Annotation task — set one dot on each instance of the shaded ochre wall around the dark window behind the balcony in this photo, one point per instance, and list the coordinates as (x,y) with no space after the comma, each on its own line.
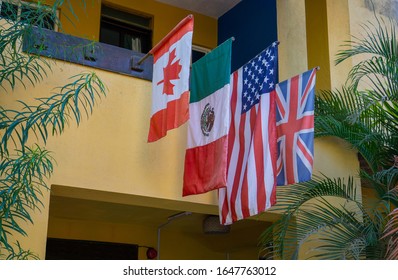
(165,17)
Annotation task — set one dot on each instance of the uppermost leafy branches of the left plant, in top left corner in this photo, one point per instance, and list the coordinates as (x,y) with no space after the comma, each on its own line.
(17,67)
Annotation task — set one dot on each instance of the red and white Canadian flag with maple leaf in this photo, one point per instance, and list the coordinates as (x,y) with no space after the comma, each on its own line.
(170,81)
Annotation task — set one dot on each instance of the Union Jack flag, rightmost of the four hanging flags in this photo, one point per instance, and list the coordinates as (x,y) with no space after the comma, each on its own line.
(295,128)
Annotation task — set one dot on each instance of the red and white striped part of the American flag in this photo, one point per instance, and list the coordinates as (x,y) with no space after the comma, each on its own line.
(252,155)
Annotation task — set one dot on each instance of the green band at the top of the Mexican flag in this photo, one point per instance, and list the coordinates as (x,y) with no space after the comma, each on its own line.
(211,72)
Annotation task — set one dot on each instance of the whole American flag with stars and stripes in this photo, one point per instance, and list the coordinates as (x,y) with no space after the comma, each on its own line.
(252,140)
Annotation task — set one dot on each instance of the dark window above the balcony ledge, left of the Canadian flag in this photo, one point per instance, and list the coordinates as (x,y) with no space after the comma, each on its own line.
(125,30)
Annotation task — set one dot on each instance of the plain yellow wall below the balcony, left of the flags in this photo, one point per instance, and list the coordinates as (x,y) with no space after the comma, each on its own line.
(110,151)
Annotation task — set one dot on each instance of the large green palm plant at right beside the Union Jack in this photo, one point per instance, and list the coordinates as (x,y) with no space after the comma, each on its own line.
(325,214)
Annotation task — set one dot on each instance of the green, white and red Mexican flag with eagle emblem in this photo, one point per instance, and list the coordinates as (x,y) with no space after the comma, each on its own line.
(206,154)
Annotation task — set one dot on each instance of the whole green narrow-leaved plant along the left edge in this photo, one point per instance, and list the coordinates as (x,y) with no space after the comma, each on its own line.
(25,166)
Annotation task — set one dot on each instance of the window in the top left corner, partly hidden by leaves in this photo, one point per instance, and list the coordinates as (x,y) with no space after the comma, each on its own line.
(28,12)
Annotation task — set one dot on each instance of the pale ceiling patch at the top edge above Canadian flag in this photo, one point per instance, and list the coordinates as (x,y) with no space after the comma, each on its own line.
(211,8)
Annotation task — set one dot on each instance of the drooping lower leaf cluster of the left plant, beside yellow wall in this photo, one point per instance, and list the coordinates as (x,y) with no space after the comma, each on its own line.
(22,180)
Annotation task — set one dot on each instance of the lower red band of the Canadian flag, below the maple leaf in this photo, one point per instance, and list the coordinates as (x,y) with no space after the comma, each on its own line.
(175,114)
